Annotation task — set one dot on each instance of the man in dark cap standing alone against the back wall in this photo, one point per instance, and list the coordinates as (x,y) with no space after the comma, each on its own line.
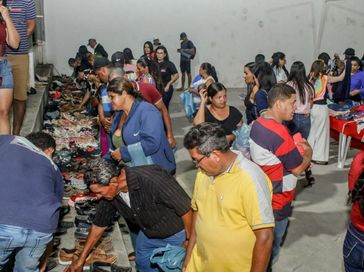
(188,52)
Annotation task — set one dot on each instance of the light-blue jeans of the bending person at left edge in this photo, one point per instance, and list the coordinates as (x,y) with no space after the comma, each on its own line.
(28,244)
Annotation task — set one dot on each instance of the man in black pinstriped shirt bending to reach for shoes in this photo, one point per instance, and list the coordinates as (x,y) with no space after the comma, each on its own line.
(148,197)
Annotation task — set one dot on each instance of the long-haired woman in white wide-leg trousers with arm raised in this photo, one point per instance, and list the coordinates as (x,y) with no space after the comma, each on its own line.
(319,137)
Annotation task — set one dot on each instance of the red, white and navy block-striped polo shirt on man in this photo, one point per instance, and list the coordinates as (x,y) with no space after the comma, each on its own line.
(274,150)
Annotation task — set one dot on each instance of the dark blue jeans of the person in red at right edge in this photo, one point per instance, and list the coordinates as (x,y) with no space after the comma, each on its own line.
(353,250)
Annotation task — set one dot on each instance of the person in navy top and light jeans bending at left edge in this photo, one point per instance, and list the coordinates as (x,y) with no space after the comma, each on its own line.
(28,174)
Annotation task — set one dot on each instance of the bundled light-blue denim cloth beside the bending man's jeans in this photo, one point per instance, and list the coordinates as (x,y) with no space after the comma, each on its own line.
(169,258)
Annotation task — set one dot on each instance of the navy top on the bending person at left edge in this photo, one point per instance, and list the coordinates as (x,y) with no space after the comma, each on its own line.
(31,186)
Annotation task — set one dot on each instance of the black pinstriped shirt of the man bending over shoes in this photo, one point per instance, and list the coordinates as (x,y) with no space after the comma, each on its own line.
(157,203)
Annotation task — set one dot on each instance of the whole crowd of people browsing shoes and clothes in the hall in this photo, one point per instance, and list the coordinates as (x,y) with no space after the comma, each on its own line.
(240,207)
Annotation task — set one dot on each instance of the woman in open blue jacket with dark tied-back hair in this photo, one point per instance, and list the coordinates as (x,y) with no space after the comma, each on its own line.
(143,126)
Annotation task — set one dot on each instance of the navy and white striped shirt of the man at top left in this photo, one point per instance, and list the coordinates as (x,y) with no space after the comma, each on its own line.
(21,11)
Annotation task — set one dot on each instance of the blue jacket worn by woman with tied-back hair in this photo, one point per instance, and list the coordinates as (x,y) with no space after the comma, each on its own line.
(144,124)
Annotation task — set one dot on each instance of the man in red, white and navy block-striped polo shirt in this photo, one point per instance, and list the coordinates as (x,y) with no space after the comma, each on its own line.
(274,150)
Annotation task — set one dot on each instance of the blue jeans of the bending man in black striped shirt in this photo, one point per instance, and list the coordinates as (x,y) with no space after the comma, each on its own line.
(145,247)
